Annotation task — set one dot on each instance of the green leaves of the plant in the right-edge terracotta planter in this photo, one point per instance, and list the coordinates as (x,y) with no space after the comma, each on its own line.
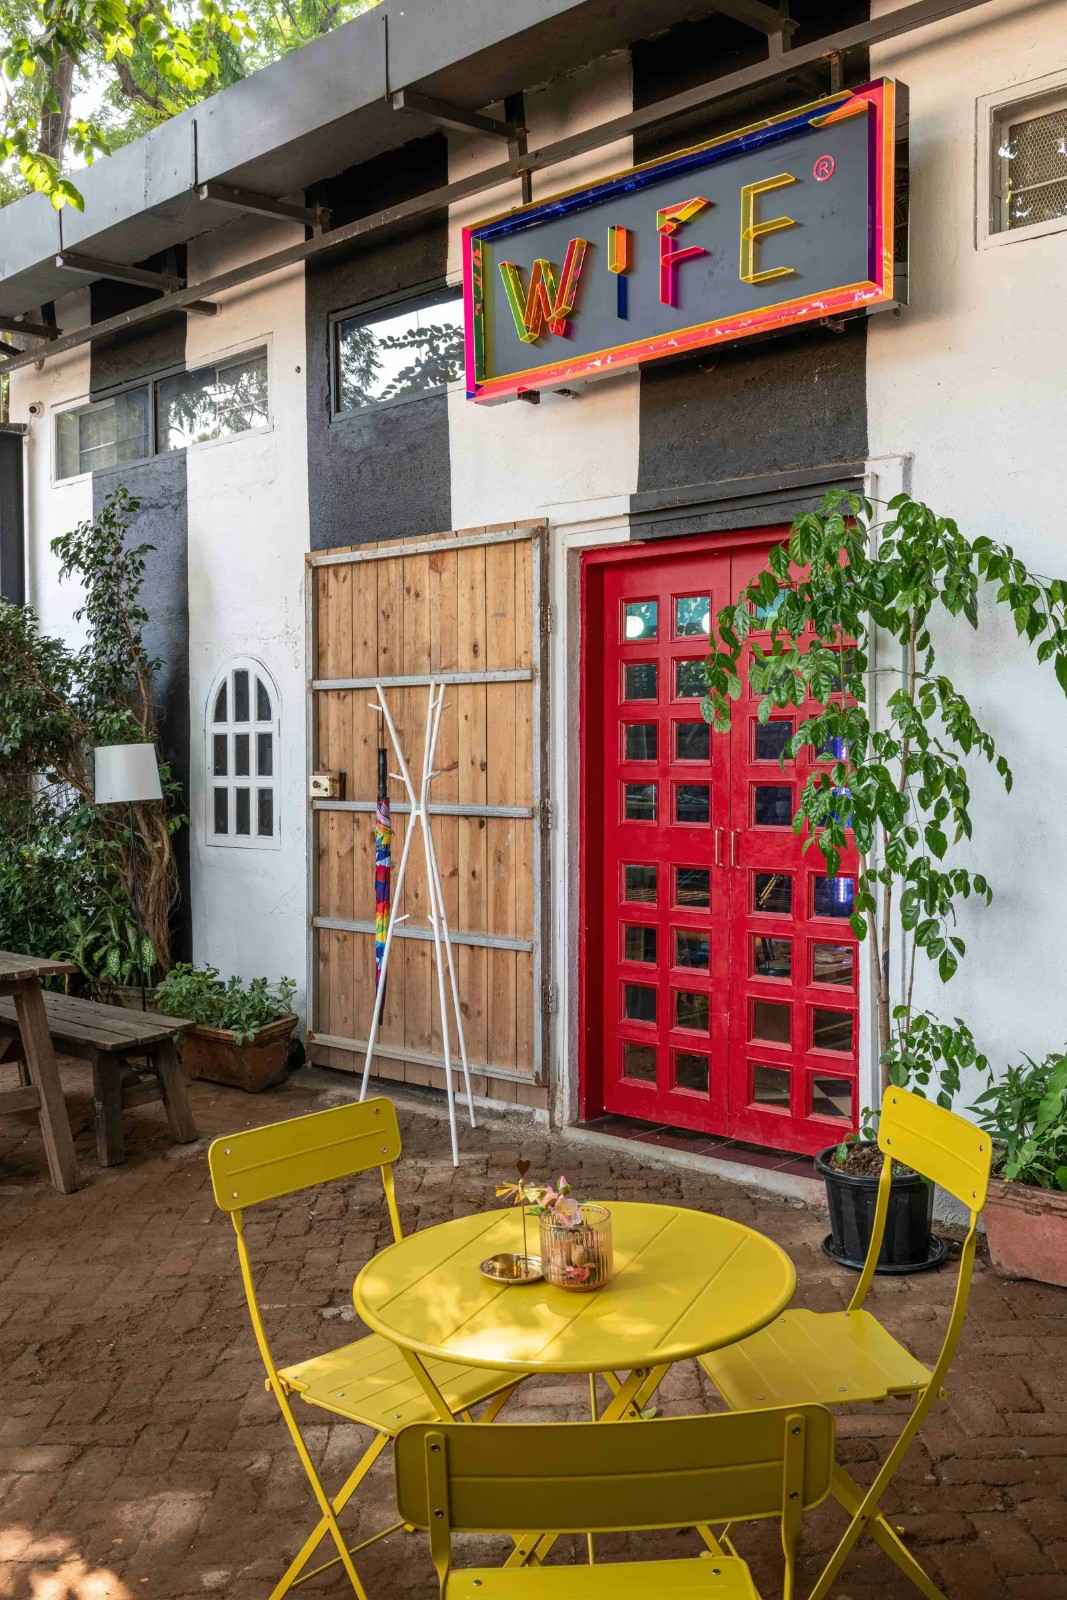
(1026,1113)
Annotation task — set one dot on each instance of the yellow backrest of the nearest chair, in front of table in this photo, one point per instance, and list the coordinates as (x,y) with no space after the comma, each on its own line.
(578,1478)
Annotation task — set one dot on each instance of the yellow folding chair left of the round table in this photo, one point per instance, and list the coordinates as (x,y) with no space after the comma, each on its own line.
(367,1382)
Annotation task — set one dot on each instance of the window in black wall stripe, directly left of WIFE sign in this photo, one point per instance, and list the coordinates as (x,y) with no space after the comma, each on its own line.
(399,353)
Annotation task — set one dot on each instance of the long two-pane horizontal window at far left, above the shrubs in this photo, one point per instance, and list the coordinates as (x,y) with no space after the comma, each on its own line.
(162,415)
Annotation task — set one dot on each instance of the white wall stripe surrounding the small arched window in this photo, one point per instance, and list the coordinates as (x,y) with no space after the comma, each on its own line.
(249,530)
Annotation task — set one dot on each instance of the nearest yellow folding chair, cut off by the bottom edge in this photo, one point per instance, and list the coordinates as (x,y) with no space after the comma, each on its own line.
(610,1478)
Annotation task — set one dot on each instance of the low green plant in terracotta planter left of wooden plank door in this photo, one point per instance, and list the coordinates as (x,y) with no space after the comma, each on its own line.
(242,1030)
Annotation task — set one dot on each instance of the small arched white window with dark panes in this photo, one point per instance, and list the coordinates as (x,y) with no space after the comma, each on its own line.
(242,758)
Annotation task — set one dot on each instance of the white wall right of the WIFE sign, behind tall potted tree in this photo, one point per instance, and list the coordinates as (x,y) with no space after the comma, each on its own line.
(970,382)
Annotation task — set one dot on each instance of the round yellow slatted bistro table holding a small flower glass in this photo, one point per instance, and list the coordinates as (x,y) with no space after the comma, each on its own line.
(685,1284)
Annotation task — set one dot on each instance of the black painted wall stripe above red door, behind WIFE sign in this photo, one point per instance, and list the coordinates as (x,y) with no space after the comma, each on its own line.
(762,406)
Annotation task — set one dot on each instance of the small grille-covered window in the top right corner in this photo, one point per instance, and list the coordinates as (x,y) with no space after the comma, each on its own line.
(1026,164)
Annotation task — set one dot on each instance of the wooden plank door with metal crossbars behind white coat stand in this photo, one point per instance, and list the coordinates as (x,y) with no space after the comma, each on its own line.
(466,609)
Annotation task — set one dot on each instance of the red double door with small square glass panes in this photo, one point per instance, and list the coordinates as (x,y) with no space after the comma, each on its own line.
(719,967)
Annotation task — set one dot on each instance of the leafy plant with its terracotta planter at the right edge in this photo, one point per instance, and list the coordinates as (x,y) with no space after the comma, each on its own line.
(1026,1215)
